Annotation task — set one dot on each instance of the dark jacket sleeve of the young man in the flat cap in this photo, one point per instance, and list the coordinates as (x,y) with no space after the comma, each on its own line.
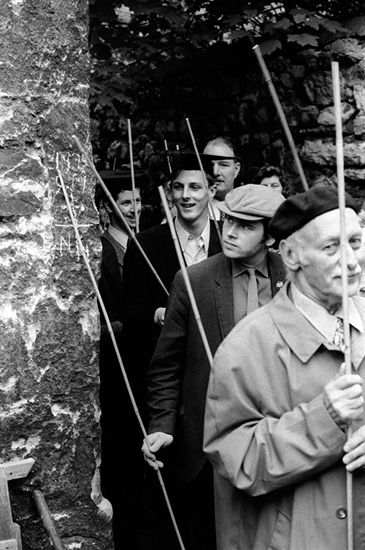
(165,373)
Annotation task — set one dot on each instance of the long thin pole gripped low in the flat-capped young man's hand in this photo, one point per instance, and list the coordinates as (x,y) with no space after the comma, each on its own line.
(116,349)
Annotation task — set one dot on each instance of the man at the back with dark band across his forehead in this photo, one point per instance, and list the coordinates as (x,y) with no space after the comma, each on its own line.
(225,166)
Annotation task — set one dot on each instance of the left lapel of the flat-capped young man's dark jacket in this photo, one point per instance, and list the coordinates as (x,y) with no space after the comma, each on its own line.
(223,295)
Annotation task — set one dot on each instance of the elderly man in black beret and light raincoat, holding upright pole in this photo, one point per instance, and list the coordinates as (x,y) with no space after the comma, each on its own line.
(279,401)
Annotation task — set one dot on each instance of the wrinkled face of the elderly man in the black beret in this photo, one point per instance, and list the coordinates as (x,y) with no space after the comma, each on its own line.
(319,275)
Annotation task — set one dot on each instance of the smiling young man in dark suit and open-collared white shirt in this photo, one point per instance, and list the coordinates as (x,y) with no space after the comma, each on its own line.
(144,300)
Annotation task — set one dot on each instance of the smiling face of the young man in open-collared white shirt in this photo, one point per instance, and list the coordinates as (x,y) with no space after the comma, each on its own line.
(190,196)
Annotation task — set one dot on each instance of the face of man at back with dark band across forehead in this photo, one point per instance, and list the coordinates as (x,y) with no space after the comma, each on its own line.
(224,171)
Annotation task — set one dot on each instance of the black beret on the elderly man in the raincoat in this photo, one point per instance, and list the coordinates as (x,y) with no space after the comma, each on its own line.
(297,211)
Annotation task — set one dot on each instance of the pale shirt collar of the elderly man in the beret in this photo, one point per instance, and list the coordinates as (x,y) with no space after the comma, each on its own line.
(319,317)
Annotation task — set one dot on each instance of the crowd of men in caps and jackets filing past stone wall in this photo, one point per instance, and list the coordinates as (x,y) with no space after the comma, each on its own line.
(253,447)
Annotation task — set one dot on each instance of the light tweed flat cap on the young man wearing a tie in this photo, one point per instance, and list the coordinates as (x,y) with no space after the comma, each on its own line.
(251,202)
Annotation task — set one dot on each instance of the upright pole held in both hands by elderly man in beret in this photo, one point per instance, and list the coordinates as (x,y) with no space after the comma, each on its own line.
(344,271)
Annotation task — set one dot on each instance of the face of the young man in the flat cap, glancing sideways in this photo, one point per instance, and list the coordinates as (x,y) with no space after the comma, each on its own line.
(244,240)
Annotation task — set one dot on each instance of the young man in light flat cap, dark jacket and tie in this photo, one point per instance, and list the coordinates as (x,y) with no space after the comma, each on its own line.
(179,371)
